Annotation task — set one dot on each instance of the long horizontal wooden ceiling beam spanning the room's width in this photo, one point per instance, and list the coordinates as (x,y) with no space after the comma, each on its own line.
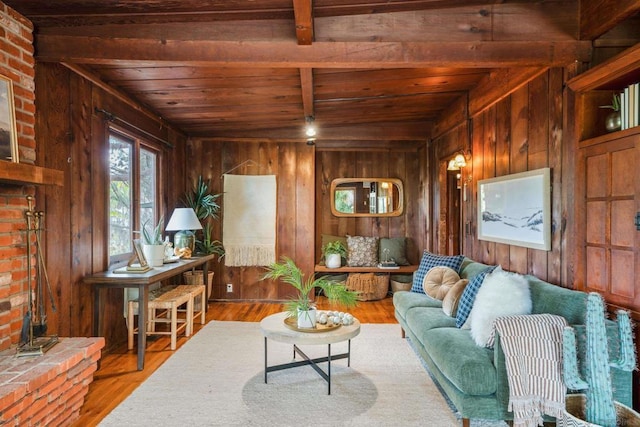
(279,54)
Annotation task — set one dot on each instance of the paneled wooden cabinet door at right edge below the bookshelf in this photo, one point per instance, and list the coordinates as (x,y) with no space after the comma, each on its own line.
(611,241)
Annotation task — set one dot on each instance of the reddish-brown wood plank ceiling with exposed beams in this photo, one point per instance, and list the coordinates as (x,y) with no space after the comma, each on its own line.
(363,70)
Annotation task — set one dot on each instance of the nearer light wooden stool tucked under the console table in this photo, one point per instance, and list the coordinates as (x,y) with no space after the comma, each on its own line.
(168,301)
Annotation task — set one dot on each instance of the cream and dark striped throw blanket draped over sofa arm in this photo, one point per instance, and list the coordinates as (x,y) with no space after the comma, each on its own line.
(532,346)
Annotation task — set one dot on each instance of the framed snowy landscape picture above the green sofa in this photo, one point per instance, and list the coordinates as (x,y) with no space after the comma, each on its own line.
(516,209)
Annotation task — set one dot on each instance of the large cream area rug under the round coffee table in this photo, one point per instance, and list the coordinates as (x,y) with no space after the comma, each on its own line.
(217,379)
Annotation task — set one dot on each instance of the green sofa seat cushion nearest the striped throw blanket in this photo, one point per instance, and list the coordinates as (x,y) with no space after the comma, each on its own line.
(471,370)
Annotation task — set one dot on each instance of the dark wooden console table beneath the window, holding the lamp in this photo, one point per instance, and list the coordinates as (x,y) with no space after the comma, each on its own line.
(109,279)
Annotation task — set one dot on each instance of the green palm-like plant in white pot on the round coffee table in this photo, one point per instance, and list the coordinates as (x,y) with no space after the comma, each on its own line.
(301,306)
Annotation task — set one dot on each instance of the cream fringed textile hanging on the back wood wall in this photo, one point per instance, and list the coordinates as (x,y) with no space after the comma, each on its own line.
(249,221)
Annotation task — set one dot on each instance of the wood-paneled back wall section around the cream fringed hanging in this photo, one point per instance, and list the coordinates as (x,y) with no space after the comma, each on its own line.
(293,165)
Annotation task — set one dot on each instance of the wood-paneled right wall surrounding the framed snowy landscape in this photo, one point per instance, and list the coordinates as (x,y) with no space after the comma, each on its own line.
(523,131)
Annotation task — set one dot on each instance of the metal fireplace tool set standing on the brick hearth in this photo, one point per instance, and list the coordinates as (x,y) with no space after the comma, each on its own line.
(33,340)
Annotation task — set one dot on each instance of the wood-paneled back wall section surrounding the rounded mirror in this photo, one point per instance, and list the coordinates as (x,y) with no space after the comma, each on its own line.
(404,165)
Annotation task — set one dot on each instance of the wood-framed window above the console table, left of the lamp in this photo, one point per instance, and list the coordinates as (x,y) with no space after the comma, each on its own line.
(133,191)
